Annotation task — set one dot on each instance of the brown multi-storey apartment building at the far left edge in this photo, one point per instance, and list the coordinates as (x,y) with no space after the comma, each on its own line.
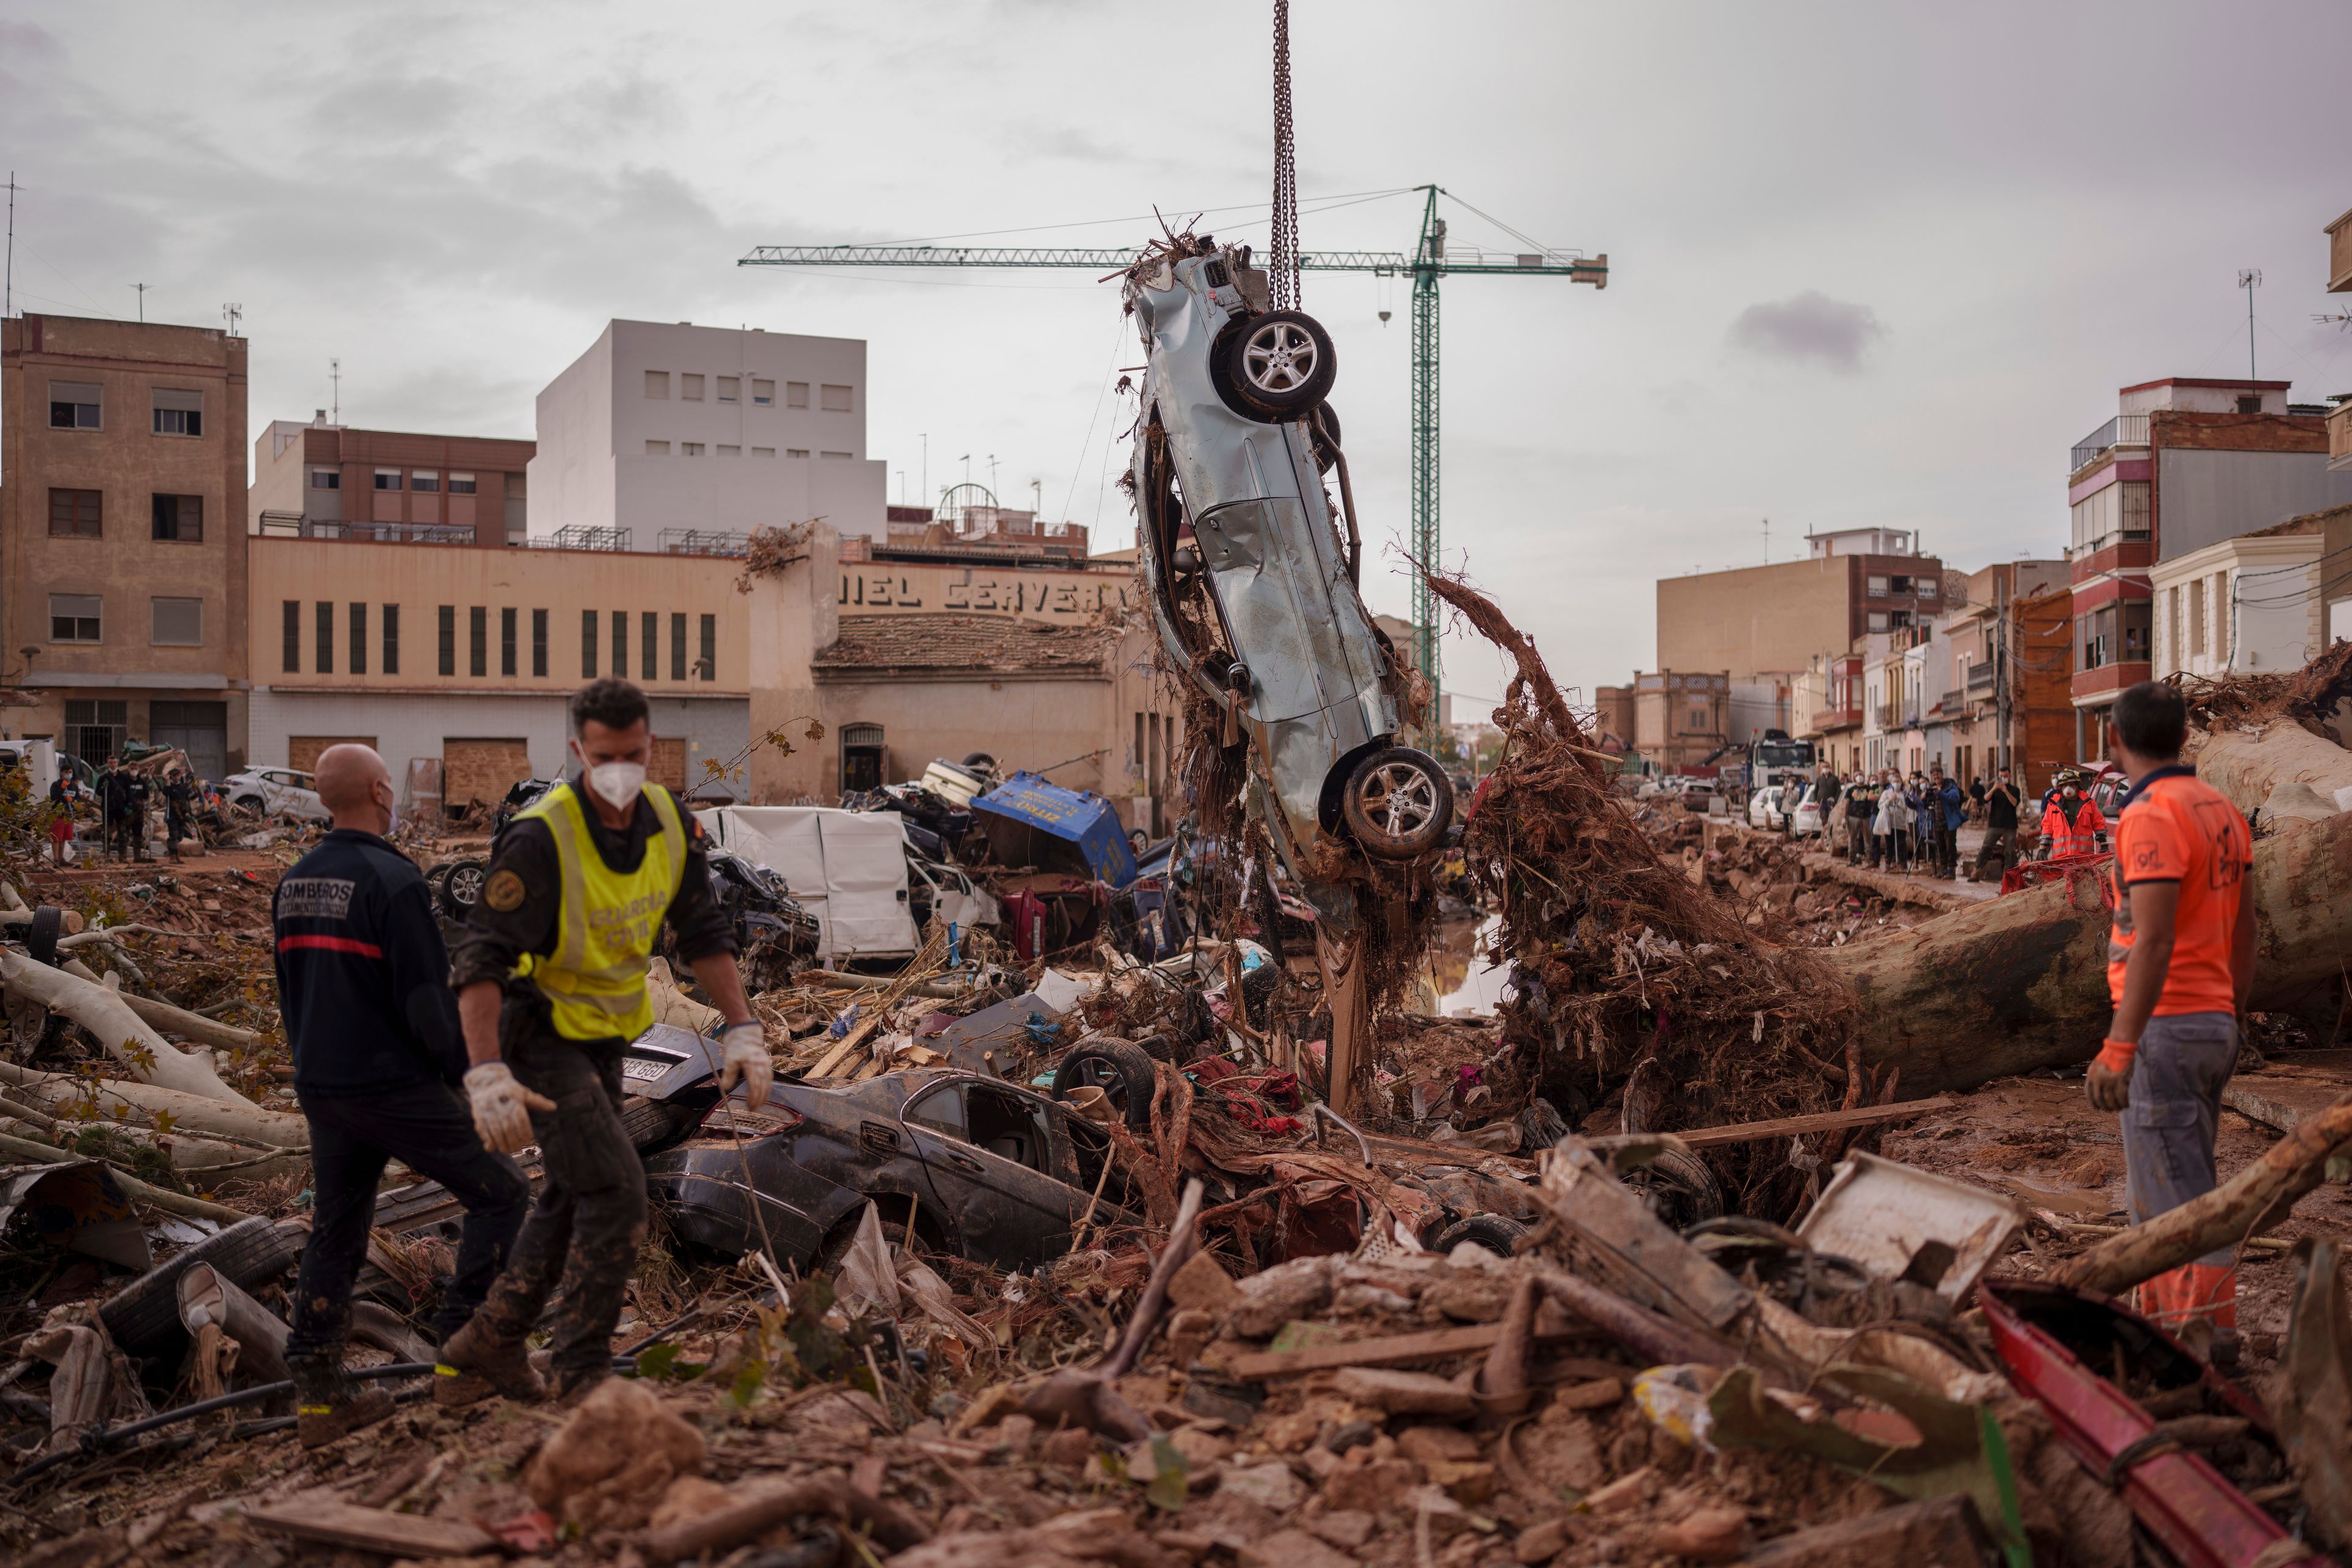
(123,591)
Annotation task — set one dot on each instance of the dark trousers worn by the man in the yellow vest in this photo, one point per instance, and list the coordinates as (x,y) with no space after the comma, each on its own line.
(589,1219)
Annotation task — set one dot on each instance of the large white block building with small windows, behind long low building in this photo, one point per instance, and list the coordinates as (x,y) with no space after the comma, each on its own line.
(669,429)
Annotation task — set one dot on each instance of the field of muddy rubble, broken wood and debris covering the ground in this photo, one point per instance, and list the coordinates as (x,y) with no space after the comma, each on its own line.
(1603,1273)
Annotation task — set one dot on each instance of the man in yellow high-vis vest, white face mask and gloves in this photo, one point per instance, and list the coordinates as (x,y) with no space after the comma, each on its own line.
(552,991)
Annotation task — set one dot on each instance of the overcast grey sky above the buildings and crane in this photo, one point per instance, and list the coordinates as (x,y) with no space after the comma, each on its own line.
(1871,264)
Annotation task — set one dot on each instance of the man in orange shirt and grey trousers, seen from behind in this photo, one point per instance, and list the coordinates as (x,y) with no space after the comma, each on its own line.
(2179,970)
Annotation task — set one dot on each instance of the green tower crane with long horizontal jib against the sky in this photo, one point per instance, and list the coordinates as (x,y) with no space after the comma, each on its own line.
(1429,262)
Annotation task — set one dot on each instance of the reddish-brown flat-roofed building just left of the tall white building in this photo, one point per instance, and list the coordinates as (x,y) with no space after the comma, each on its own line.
(319,481)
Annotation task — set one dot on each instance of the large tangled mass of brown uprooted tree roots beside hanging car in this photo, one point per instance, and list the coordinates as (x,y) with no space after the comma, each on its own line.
(1633,984)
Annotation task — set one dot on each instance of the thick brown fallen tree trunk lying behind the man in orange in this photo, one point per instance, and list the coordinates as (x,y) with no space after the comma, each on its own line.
(2022,981)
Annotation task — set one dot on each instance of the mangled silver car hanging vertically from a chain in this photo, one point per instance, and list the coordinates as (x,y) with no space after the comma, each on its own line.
(1252,577)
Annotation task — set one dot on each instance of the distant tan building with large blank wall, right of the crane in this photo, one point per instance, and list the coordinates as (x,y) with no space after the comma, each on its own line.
(1775,619)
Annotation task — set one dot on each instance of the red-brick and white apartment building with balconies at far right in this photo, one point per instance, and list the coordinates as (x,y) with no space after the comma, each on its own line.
(2184,464)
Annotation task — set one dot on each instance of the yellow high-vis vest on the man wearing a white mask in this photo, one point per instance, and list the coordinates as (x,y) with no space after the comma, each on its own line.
(608,923)
